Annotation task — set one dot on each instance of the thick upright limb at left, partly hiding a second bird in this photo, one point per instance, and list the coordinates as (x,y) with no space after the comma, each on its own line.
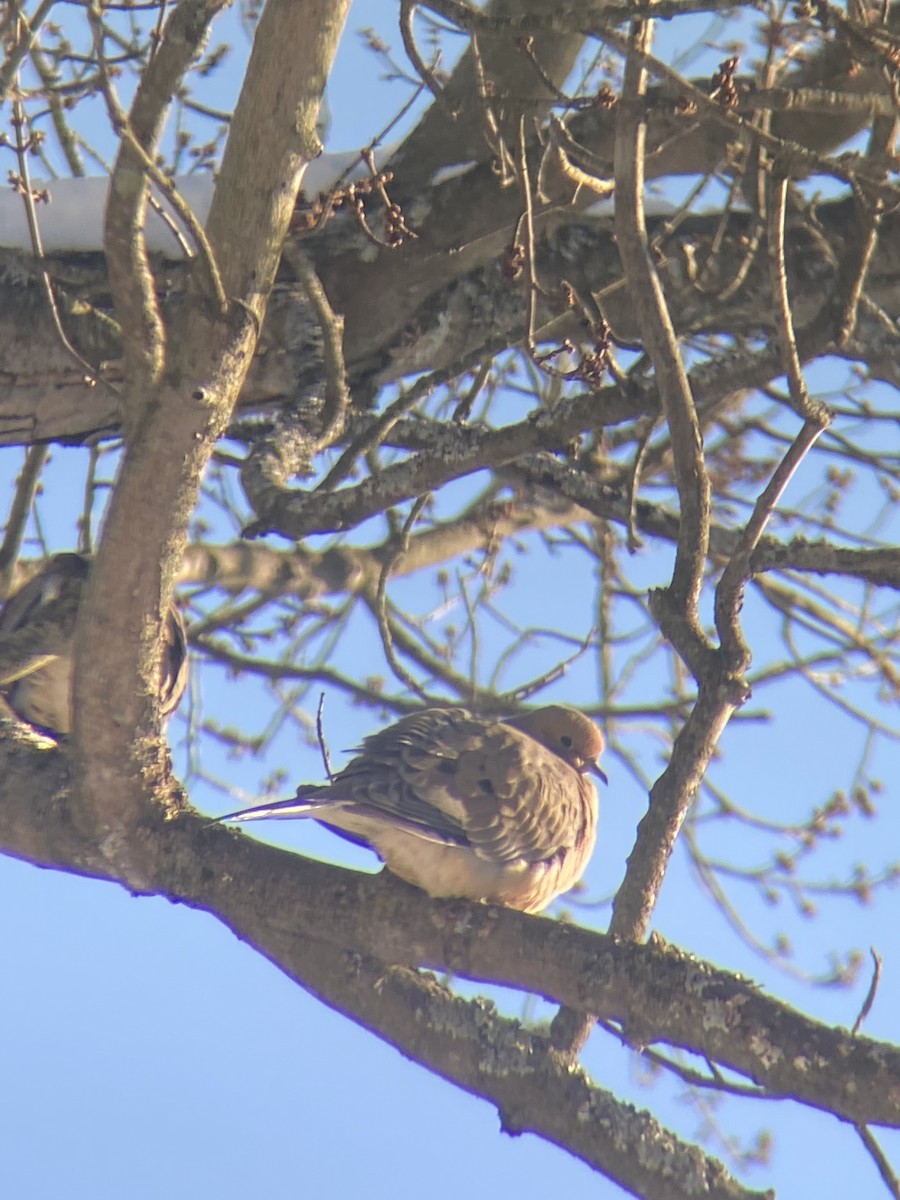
(272,140)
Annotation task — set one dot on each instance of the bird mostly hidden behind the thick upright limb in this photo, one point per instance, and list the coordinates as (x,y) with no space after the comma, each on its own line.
(38,626)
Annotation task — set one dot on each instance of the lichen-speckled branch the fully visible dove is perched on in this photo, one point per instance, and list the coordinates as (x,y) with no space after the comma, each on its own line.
(281,902)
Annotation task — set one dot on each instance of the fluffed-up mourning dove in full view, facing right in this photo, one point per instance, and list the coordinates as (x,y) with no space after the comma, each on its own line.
(466,806)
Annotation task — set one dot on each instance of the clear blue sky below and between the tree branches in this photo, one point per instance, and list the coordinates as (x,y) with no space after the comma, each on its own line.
(147,1053)
